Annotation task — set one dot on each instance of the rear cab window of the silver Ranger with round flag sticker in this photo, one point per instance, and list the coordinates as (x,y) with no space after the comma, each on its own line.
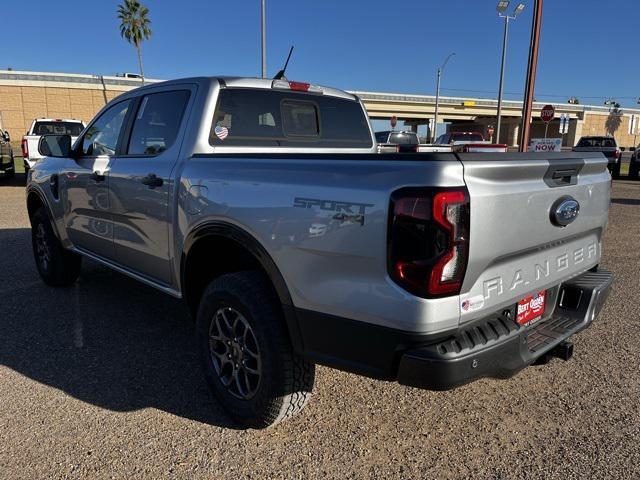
(270,118)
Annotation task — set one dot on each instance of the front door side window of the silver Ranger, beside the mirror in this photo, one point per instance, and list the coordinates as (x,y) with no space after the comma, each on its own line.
(102,136)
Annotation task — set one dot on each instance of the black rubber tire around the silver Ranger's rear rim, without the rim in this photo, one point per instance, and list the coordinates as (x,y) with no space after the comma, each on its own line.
(286,379)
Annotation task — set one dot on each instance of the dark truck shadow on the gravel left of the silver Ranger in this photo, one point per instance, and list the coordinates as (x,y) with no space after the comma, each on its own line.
(108,340)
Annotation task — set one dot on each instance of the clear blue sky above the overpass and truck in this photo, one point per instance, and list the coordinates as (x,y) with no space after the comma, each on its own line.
(588,50)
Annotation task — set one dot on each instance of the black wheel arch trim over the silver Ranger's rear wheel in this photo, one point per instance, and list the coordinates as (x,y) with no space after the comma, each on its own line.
(242,237)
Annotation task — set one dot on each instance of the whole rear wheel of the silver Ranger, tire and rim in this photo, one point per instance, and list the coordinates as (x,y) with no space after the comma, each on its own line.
(246,353)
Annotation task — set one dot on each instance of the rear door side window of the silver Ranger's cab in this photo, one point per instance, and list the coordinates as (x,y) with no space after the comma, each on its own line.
(157,122)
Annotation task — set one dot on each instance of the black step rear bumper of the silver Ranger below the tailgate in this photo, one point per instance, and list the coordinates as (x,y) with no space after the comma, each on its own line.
(497,346)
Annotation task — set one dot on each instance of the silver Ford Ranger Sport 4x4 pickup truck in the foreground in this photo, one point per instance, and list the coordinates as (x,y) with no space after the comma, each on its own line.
(265,206)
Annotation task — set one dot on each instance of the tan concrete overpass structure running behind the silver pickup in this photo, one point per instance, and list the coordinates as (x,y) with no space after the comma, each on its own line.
(28,95)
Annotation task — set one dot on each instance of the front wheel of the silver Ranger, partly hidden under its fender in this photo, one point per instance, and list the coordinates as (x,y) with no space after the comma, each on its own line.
(57,267)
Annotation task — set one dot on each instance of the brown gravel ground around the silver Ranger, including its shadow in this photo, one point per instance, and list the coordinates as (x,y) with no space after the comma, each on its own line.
(101,381)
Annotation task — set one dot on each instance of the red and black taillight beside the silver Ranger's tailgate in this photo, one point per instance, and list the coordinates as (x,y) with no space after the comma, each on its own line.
(429,240)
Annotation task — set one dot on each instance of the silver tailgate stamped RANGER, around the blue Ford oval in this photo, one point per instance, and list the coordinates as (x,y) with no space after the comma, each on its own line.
(515,248)
